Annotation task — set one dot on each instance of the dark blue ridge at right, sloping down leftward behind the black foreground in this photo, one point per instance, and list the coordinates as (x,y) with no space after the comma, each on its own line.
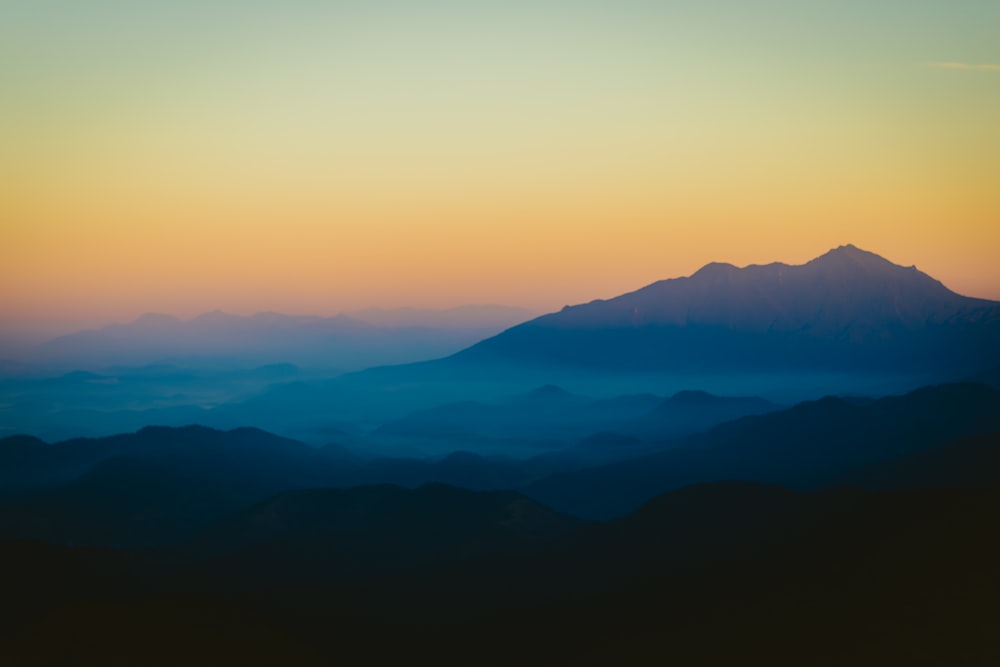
(805,446)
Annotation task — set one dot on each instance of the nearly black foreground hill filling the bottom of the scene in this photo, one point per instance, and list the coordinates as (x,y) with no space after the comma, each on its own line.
(710,575)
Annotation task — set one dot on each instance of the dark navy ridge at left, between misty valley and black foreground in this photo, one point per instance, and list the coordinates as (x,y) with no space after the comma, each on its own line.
(160,485)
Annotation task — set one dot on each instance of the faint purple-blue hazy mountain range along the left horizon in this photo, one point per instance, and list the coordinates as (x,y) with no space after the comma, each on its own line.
(342,342)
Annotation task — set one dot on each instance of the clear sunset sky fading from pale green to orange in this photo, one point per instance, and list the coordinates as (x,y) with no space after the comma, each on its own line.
(317,157)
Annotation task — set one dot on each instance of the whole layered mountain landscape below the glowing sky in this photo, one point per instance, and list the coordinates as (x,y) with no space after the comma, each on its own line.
(603,485)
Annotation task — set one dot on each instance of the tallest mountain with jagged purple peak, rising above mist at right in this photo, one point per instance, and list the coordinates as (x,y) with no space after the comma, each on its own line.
(846,310)
